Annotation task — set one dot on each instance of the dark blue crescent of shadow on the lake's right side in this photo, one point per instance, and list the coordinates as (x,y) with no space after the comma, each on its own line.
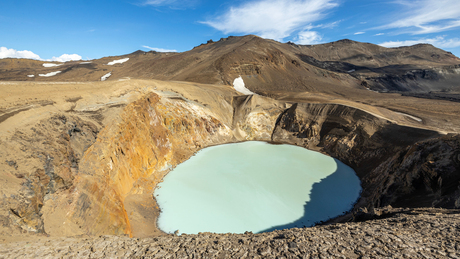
(329,198)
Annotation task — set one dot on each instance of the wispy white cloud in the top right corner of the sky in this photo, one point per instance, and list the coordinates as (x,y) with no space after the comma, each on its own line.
(427,16)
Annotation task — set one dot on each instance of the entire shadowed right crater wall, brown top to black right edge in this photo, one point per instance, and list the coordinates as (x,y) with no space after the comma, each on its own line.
(398,166)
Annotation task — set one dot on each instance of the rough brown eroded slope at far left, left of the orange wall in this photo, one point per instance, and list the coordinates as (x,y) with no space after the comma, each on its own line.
(49,154)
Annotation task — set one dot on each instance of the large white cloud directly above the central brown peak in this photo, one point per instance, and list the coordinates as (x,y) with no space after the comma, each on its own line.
(274,19)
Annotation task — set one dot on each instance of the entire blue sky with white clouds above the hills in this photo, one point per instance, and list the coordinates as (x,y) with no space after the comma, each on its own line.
(62,30)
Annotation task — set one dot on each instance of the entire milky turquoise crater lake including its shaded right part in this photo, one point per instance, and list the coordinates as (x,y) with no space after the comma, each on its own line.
(254,186)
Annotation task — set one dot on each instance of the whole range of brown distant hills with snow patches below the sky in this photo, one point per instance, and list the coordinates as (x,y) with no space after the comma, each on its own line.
(268,66)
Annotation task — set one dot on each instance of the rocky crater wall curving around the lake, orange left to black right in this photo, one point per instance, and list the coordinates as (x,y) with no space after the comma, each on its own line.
(111,180)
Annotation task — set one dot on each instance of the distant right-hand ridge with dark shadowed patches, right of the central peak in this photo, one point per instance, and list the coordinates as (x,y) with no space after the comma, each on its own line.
(419,70)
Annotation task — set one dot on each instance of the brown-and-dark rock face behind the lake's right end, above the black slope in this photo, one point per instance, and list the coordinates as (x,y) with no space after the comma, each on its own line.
(355,137)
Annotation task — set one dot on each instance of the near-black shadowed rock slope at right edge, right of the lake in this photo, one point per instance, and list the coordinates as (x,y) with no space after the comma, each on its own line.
(425,174)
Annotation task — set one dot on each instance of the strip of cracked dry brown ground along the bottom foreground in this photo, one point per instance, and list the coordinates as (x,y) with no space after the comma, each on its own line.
(423,233)
